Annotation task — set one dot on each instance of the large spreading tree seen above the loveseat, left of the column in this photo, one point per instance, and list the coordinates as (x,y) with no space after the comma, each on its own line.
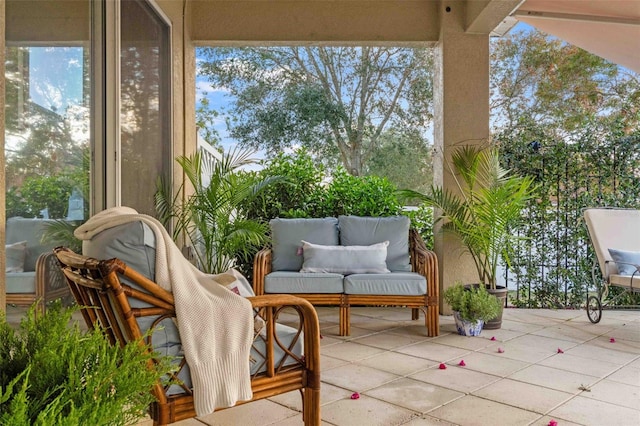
(334,101)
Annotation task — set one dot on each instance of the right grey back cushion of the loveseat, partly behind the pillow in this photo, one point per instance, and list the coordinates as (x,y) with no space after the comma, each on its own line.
(364,231)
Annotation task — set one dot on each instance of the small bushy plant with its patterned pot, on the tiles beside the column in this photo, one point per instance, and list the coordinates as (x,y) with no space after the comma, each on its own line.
(472,307)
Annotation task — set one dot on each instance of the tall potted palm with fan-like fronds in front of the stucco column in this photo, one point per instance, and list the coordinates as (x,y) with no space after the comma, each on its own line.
(489,200)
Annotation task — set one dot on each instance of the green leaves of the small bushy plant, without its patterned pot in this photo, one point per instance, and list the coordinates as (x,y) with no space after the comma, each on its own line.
(472,302)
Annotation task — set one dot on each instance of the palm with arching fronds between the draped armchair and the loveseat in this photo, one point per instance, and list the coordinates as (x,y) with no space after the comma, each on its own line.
(210,217)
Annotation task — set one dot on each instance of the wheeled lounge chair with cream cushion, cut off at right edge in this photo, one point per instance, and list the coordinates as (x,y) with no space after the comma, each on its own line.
(615,235)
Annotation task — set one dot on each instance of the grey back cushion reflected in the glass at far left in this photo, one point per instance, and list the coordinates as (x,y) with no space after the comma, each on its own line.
(31,231)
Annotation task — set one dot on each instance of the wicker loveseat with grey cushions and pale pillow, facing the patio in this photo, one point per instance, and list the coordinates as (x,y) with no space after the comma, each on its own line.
(336,262)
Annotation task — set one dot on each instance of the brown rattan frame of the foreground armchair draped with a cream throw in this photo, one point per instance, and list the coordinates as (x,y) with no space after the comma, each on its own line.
(101,288)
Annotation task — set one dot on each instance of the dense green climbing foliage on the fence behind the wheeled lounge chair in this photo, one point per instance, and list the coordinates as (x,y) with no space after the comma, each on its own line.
(597,166)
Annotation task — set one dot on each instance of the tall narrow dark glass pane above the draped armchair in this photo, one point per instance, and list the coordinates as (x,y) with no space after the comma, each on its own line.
(144,113)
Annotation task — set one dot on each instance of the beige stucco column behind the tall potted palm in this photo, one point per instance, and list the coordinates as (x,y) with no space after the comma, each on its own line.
(461,110)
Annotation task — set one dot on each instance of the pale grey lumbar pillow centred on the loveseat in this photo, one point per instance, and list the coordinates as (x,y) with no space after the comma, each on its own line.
(345,259)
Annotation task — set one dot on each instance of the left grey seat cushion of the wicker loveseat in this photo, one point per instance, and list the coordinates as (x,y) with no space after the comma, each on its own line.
(303,282)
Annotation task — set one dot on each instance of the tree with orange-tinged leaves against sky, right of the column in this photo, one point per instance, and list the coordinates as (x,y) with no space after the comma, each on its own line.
(536,78)
